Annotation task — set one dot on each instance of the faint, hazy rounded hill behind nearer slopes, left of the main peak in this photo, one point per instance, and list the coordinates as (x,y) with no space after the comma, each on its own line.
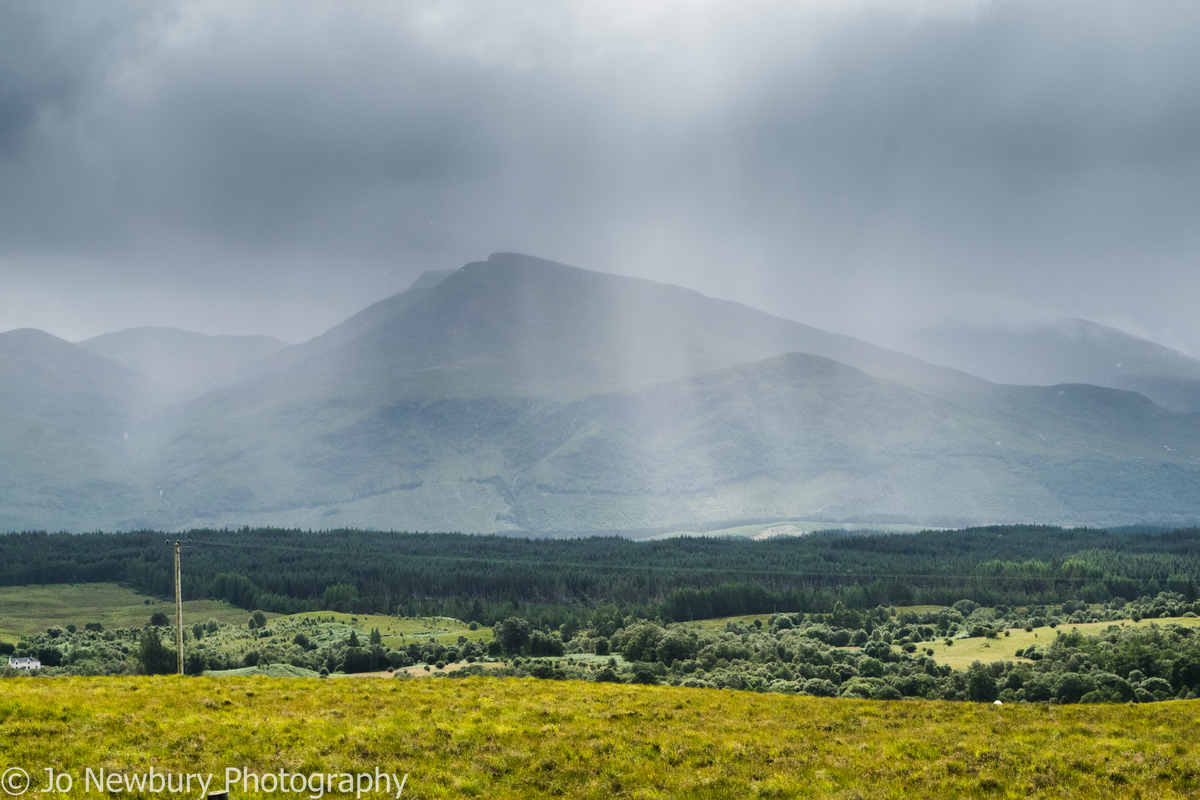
(182,365)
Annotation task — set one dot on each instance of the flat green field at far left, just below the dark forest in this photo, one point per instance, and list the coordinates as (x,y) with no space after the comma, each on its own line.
(34,609)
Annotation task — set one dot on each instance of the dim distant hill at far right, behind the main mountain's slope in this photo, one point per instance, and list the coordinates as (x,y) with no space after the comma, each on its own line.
(1073,351)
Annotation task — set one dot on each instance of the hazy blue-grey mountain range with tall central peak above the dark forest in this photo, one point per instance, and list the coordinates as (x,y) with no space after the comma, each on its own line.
(523,395)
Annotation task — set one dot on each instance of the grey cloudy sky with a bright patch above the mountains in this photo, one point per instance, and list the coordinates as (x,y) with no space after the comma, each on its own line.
(862,166)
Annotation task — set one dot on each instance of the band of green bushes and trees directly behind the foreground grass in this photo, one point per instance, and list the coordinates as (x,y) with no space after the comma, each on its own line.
(874,654)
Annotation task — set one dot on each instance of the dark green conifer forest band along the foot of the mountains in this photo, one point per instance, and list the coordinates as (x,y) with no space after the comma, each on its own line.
(575,582)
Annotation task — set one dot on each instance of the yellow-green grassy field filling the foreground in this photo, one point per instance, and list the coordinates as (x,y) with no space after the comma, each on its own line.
(524,738)
